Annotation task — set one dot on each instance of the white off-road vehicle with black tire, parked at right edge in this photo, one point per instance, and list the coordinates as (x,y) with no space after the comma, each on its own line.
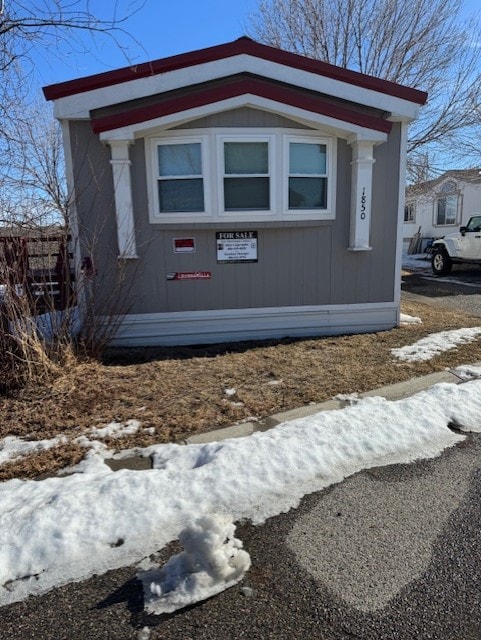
(458,248)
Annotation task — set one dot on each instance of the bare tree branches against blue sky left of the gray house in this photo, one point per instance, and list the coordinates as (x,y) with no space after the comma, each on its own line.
(32,181)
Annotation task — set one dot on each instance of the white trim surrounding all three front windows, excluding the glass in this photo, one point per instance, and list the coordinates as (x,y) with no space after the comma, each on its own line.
(212,141)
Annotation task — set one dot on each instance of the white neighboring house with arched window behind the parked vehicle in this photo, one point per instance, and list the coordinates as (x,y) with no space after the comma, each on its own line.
(438,207)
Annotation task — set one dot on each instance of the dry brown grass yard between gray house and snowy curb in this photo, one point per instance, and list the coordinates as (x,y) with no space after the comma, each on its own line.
(180,391)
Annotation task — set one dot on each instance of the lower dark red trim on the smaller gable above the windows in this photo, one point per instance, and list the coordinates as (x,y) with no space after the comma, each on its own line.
(239,87)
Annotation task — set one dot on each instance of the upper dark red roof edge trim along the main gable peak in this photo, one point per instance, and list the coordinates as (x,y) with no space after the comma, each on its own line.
(237,47)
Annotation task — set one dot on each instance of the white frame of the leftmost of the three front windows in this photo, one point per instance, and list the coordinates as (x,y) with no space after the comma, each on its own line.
(178,216)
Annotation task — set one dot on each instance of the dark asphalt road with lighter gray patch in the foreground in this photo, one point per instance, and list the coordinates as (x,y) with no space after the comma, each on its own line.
(392,552)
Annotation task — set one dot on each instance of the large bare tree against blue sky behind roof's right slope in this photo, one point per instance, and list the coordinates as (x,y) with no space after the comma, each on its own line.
(419,43)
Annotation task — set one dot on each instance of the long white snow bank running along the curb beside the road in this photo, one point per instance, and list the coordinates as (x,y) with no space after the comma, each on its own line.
(65,529)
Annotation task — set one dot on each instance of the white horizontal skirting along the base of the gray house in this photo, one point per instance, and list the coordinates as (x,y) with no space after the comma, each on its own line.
(231,325)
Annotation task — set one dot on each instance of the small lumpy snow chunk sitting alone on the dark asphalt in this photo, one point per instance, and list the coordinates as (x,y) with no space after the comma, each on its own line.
(213,560)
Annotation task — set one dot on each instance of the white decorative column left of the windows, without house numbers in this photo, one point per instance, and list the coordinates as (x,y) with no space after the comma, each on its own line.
(120,162)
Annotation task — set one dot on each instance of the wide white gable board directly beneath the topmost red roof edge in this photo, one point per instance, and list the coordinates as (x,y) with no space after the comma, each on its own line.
(78,106)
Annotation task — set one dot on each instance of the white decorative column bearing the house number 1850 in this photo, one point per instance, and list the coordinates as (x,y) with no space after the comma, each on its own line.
(361,194)
